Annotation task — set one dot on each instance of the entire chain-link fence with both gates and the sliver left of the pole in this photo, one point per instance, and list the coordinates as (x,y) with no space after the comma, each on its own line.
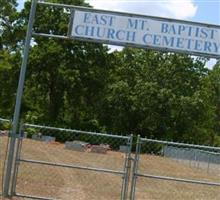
(58,163)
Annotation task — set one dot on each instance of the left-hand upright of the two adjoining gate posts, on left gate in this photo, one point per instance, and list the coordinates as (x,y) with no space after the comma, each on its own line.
(127,167)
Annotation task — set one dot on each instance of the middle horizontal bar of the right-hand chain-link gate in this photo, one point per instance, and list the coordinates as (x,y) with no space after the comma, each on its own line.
(178,179)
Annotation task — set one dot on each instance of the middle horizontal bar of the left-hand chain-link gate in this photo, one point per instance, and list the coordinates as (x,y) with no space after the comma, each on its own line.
(72,166)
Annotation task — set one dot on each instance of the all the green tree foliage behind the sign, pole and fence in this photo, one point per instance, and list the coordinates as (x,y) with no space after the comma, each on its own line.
(81,85)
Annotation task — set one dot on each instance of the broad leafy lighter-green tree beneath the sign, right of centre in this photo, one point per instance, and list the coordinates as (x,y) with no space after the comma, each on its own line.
(157,95)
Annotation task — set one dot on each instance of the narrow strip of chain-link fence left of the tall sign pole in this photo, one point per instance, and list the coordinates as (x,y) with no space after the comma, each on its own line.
(4,131)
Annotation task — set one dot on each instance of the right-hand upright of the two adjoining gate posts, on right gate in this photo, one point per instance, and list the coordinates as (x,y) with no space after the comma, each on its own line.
(135,168)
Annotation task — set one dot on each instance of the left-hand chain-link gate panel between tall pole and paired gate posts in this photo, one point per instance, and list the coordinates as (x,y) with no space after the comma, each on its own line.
(57,163)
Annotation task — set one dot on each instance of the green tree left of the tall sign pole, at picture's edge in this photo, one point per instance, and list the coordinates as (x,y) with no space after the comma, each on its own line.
(9,56)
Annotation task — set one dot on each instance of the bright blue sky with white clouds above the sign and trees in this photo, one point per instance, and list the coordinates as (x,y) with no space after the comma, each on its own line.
(205,11)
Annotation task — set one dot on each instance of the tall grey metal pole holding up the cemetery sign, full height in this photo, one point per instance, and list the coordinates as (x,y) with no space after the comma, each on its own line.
(10,156)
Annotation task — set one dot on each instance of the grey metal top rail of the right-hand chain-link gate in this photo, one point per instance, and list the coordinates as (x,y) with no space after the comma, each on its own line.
(180,144)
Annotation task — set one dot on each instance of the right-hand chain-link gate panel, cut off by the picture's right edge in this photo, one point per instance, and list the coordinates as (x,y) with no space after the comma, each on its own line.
(165,170)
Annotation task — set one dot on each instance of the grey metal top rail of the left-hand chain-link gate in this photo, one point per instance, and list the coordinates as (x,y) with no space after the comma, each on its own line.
(76,131)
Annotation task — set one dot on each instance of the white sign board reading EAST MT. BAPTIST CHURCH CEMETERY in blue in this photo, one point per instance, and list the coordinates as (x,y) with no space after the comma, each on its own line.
(145,32)
